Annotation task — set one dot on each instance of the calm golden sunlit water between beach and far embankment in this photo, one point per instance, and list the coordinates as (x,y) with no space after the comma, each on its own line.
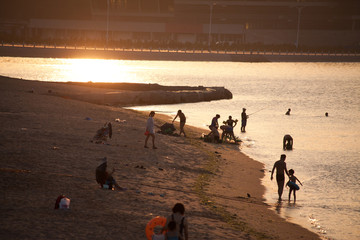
(326,149)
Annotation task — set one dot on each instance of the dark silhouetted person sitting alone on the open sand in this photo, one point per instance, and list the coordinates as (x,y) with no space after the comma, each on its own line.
(104,178)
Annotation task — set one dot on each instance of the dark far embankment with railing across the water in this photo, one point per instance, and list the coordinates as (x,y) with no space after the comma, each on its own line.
(156,55)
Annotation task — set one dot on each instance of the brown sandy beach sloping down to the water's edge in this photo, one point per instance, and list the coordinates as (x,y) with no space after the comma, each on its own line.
(46,150)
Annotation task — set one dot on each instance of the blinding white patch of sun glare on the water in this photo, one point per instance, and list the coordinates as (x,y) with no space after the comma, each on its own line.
(97,70)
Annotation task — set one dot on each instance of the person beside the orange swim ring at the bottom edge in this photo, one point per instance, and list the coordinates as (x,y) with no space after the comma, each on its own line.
(177,218)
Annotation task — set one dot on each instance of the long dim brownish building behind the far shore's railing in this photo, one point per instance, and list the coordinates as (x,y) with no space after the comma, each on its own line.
(168,23)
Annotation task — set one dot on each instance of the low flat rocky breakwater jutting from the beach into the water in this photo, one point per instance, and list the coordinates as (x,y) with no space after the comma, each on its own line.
(133,94)
